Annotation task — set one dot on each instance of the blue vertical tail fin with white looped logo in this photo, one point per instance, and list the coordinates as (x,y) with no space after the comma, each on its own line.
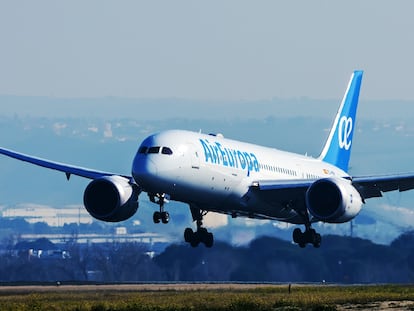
(337,149)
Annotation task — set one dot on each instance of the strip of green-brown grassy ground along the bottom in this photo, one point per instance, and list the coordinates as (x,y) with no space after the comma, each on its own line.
(206,297)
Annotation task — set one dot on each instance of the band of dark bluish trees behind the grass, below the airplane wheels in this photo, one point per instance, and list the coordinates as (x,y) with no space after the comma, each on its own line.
(339,260)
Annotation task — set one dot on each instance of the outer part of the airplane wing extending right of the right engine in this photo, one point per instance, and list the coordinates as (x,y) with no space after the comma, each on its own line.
(374,186)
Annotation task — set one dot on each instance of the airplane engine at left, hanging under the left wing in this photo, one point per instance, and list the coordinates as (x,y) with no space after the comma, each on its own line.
(111,199)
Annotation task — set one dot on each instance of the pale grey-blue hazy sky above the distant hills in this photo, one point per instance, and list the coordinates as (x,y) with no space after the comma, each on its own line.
(206,50)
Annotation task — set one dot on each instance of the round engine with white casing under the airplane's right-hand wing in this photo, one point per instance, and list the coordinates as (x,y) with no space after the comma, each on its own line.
(333,200)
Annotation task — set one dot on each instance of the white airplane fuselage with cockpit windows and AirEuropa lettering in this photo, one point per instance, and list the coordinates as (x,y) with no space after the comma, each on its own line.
(215,173)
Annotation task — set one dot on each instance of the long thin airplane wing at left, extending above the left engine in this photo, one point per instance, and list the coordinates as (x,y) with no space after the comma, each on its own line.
(65,168)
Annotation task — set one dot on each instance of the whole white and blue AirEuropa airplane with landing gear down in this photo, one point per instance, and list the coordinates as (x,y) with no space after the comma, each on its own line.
(211,173)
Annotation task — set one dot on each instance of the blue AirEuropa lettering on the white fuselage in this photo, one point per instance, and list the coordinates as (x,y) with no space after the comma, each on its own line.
(216,153)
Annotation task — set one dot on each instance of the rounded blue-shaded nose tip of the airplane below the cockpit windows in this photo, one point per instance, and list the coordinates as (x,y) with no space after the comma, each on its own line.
(144,170)
